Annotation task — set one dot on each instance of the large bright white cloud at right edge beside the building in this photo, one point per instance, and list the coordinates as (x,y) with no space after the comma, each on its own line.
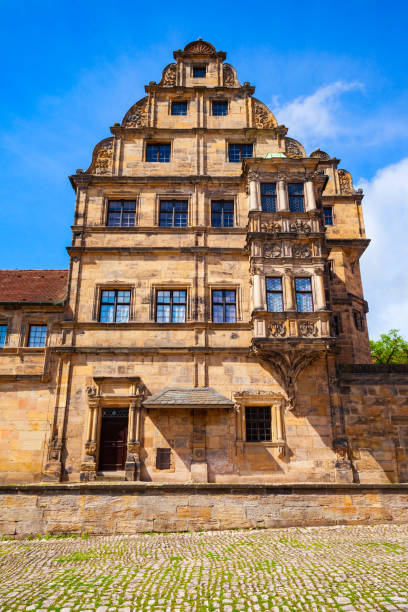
(384,265)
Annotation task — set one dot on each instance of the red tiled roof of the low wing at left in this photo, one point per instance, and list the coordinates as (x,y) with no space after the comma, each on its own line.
(35,286)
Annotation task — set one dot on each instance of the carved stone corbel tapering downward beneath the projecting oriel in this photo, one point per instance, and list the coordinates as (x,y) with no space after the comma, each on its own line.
(287,365)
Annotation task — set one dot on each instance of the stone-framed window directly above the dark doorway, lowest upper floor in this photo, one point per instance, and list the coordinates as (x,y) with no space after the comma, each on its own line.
(113,303)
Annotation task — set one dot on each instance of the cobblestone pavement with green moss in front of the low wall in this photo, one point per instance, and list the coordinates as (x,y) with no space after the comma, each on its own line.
(315,568)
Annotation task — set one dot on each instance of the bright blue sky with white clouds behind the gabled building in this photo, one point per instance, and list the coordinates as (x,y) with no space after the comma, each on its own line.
(335,74)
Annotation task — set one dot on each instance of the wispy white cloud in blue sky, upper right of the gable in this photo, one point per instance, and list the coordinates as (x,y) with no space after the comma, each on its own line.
(317,115)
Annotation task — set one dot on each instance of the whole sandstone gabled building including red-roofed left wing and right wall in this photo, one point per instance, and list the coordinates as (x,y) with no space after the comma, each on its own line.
(211,326)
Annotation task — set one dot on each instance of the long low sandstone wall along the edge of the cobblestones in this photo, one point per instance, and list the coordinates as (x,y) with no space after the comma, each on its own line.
(137,507)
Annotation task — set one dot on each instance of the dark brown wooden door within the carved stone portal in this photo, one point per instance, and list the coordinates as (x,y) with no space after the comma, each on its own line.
(113,446)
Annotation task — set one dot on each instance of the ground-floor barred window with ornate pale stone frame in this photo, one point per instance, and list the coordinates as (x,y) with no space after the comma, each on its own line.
(260,420)
